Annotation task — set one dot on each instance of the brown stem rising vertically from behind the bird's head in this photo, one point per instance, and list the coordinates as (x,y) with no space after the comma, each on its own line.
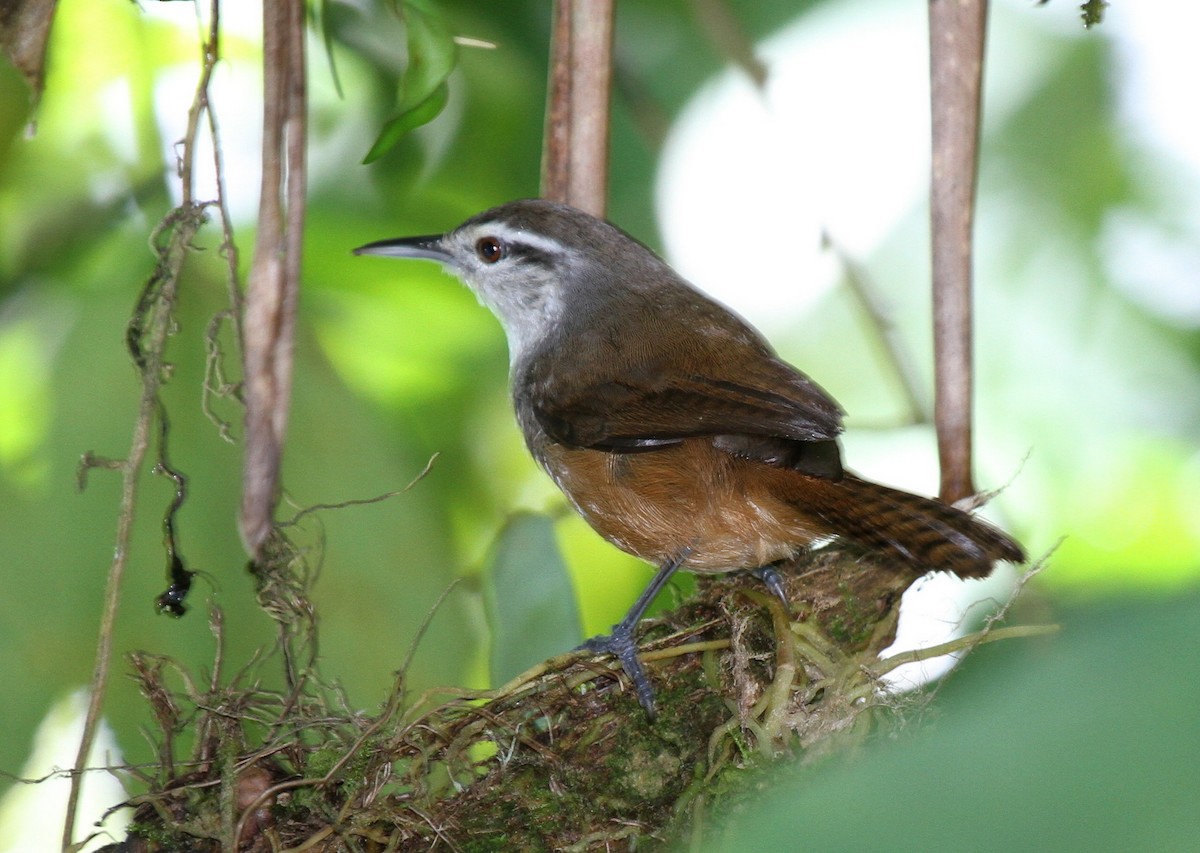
(575,158)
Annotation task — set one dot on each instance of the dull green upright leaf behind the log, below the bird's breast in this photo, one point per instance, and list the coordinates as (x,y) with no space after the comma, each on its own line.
(530,599)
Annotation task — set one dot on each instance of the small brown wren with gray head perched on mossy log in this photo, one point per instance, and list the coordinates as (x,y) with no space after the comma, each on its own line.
(668,422)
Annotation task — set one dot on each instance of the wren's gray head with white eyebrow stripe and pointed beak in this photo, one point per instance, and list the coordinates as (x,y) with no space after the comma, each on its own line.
(533,263)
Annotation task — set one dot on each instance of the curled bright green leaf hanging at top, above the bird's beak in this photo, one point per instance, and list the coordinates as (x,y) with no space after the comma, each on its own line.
(423,91)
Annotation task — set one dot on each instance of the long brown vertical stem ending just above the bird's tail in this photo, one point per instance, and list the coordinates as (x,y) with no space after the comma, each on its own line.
(957,31)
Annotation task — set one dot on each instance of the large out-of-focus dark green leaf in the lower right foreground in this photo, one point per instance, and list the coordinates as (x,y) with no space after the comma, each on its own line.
(1082,742)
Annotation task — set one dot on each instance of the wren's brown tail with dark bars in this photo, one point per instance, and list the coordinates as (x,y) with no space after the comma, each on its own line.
(923,533)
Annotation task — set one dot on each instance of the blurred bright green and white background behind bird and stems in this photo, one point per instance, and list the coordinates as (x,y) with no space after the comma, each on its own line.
(1088,279)
